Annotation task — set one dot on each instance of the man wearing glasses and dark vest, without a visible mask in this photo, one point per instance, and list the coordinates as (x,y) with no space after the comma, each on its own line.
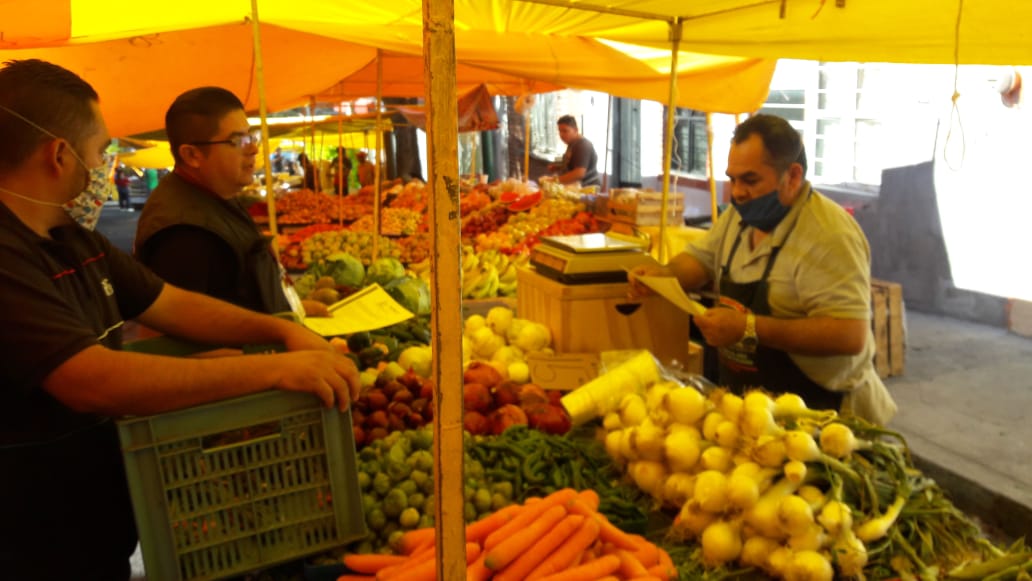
(195,232)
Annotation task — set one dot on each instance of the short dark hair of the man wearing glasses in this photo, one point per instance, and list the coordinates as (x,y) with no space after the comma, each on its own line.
(195,116)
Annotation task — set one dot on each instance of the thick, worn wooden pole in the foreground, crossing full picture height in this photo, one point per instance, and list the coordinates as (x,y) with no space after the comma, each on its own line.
(446,302)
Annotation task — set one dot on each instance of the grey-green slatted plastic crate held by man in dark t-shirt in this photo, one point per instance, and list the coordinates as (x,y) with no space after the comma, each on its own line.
(237,486)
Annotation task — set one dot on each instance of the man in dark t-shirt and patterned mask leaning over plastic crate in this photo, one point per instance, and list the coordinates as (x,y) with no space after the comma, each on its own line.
(66,294)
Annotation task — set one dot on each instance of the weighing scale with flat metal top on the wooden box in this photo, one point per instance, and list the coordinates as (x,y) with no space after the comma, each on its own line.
(590,259)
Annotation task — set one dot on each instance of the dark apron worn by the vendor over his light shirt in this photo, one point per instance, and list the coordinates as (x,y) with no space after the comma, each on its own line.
(770,369)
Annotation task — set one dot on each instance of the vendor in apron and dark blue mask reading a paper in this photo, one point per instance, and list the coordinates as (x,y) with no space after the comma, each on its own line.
(793,273)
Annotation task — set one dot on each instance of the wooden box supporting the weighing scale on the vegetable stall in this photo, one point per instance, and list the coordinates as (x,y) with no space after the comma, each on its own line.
(585,318)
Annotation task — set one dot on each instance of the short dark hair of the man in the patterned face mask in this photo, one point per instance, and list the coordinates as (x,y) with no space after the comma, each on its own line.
(51,96)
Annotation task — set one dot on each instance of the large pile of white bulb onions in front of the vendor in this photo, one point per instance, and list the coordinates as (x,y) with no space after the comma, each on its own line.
(739,477)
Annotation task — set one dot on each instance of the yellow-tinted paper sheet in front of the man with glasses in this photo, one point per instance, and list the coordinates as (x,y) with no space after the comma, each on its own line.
(369,309)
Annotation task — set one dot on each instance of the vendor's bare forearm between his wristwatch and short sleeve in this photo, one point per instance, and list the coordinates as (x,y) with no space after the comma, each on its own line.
(819,337)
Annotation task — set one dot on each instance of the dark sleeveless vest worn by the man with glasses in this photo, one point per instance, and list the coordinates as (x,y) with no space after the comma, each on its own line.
(177,203)
